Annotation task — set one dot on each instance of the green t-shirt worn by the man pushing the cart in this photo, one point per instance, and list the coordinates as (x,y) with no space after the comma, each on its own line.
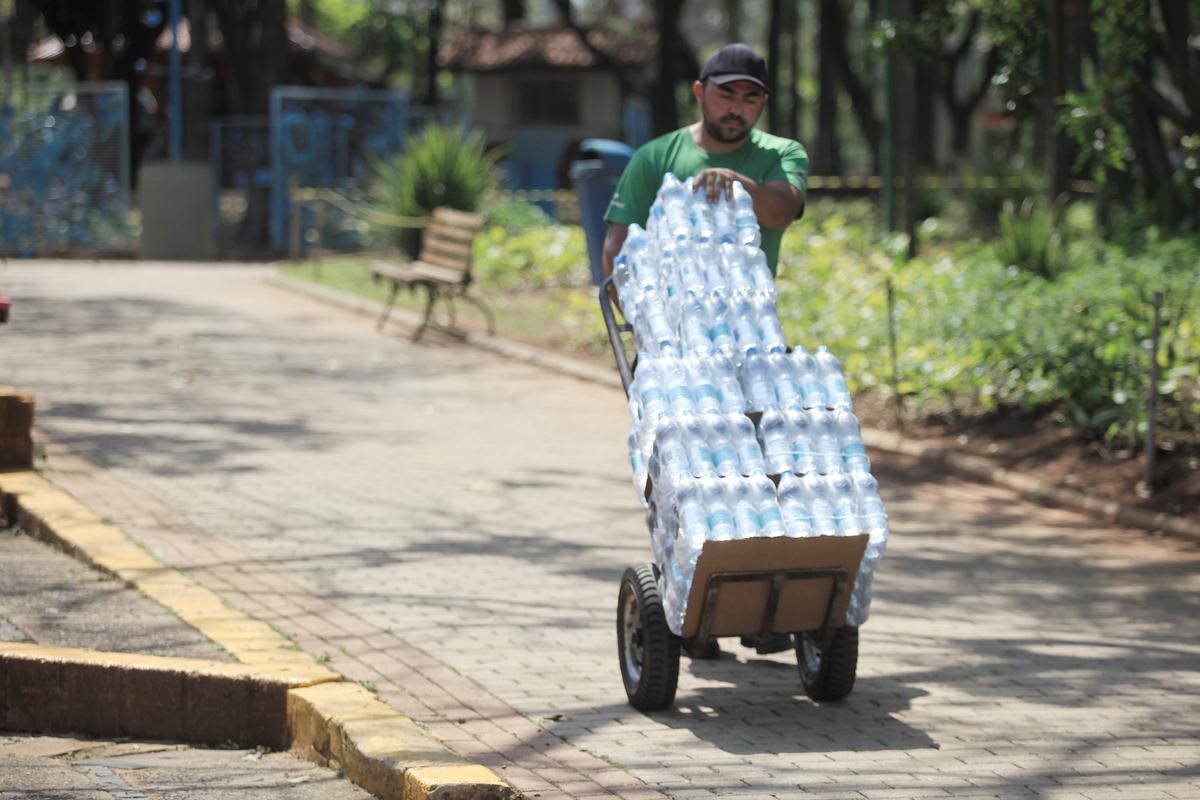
(764,158)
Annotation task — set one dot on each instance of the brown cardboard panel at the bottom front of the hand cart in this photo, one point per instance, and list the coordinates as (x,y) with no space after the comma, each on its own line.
(803,603)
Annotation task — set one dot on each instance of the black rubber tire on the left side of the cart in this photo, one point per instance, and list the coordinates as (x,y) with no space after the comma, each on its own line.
(646,648)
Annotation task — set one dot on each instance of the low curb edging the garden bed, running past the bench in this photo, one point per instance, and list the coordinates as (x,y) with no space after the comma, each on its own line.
(964,464)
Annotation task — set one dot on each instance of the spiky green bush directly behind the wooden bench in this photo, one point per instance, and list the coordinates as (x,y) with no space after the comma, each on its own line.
(442,166)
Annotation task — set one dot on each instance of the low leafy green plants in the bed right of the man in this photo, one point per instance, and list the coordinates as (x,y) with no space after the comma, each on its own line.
(976,334)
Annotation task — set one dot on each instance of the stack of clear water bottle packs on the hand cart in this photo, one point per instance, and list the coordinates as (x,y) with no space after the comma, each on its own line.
(736,436)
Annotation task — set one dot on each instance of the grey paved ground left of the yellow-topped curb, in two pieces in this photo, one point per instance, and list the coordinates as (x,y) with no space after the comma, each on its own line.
(49,598)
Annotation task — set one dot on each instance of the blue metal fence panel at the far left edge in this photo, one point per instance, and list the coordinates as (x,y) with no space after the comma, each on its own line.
(65,171)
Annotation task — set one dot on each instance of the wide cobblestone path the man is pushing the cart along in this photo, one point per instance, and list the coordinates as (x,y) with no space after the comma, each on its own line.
(452,528)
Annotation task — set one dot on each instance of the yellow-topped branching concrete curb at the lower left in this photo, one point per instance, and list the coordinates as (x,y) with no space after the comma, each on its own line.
(278,697)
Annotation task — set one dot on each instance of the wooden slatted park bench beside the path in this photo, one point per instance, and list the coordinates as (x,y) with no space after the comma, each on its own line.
(442,269)
